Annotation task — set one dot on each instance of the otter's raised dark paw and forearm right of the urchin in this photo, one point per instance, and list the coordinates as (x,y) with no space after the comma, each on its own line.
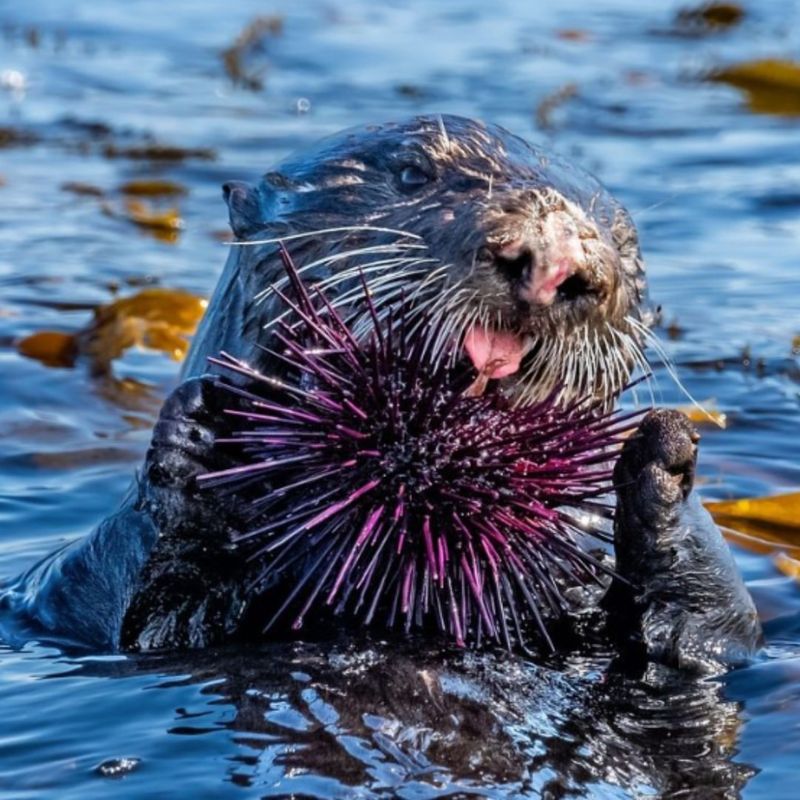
(681,598)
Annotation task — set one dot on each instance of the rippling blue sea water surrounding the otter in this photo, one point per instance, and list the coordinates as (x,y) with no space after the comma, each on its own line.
(692,118)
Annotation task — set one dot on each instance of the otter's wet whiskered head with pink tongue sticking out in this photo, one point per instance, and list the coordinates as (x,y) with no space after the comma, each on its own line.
(534,267)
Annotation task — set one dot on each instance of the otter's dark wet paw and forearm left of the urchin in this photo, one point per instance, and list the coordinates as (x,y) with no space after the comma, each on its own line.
(190,593)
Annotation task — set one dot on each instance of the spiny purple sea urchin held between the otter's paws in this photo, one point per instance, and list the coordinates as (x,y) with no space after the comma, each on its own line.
(381,487)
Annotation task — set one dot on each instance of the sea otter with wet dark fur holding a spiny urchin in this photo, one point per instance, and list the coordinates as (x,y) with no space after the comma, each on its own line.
(525,261)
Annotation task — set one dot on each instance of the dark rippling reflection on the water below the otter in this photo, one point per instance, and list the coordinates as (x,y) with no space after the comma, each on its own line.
(401,719)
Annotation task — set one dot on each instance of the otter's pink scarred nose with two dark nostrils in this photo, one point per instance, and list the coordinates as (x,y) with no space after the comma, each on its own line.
(544,274)
